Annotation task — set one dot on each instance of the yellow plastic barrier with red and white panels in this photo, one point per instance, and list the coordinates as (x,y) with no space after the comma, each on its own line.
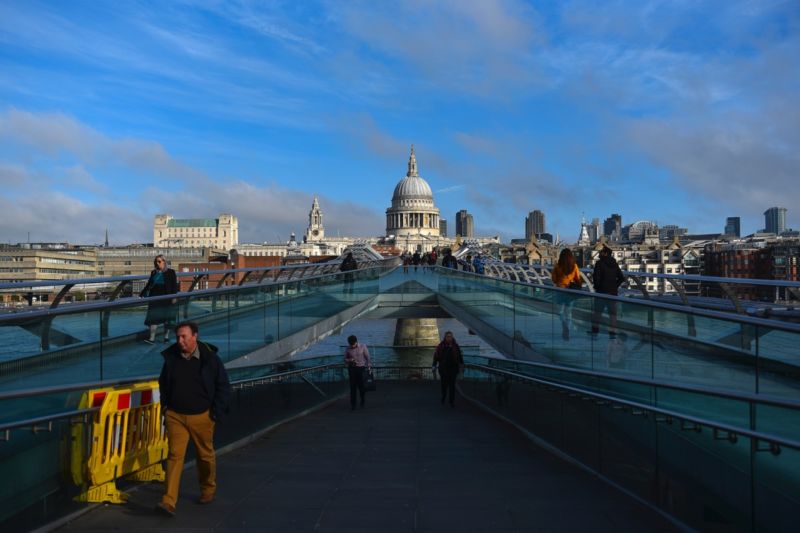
(127,439)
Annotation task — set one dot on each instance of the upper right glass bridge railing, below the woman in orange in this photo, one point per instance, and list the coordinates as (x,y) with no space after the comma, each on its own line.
(645,339)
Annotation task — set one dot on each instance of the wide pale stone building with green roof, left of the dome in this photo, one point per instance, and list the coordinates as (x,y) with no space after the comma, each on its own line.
(221,233)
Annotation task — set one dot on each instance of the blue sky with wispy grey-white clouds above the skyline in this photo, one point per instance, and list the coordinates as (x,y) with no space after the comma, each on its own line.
(681,112)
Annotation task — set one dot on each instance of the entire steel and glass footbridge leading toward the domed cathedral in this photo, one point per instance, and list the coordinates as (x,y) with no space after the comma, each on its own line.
(686,416)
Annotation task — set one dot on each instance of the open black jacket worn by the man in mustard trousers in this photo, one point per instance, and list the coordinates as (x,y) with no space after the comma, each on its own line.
(215,377)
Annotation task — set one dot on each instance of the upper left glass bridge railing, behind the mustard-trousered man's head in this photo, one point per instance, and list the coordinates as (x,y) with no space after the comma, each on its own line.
(105,340)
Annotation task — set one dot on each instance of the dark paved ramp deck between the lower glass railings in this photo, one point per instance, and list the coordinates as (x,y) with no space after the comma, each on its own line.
(404,463)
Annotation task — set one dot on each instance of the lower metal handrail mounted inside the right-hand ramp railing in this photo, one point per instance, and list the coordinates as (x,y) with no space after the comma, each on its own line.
(645,408)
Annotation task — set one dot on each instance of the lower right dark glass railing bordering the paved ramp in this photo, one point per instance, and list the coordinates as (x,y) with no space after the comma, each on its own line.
(737,469)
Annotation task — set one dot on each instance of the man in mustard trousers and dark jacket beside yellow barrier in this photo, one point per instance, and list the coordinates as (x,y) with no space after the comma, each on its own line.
(194,391)
